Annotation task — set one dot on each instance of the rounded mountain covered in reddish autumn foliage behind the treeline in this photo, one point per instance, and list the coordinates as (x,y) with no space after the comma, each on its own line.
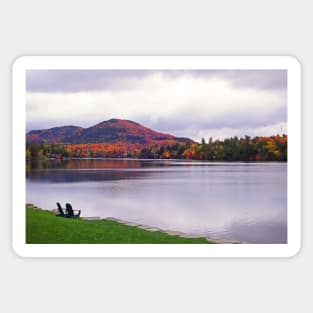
(111,131)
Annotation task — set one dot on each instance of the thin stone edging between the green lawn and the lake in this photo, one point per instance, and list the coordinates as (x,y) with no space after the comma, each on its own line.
(147,227)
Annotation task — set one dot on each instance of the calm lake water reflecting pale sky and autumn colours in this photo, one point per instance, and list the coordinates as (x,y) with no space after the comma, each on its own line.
(233,201)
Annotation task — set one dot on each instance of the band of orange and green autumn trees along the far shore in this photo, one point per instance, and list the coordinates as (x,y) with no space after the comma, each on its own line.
(272,148)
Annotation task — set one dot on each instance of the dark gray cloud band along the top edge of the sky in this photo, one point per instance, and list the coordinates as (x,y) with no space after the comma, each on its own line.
(94,80)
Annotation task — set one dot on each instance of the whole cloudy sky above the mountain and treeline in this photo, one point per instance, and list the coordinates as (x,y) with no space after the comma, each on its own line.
(187,103)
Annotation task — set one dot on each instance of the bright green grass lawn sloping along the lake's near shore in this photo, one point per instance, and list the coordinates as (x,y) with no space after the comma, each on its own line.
(43,227)
